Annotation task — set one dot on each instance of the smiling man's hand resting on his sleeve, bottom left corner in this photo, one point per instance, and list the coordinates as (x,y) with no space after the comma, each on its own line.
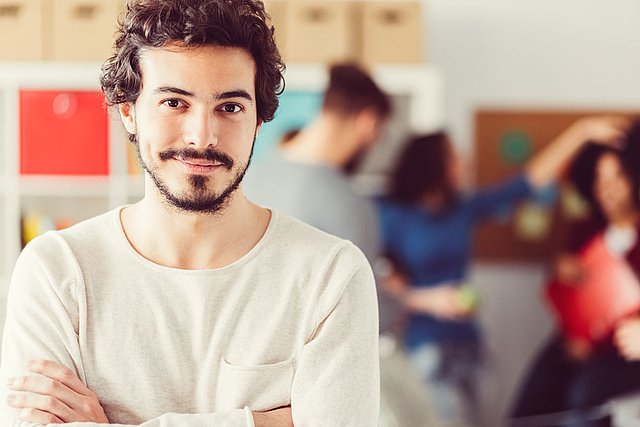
(55,396)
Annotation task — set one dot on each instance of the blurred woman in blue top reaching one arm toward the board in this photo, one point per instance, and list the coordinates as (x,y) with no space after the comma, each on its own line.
(427,226)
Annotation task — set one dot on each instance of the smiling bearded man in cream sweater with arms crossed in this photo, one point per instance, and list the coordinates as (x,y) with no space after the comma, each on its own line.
(192,307)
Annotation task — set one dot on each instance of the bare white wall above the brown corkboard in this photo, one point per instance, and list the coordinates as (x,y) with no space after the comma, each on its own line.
(533,53)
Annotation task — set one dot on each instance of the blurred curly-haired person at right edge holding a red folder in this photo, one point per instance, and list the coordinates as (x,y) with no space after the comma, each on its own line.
(571,374)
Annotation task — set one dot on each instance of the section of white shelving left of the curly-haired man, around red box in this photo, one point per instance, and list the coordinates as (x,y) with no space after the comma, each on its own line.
(74,197)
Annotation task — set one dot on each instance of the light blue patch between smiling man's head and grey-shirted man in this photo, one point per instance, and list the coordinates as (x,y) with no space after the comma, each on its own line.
(297,108)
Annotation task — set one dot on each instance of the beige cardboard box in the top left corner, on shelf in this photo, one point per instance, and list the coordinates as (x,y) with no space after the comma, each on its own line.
(21,35)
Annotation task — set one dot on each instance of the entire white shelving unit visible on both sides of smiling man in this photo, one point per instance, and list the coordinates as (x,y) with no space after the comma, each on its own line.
(80,197)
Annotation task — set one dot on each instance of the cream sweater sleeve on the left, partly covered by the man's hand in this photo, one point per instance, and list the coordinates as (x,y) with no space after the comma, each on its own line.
(42,323)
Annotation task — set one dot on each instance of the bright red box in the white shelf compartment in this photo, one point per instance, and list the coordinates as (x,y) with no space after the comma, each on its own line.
(63,133)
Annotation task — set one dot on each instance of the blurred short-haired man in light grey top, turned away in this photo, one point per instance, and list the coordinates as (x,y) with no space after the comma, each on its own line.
(307,176)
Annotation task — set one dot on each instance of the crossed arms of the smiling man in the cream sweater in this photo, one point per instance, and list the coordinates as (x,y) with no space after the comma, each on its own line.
(337,366)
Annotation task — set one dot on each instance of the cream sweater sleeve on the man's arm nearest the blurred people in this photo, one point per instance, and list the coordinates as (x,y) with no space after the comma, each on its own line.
(337,378)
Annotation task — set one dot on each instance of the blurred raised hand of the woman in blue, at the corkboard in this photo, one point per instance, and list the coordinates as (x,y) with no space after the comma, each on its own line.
(606,130)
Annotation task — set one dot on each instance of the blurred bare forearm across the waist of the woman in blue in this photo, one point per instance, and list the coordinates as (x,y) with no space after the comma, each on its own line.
(443,302)
